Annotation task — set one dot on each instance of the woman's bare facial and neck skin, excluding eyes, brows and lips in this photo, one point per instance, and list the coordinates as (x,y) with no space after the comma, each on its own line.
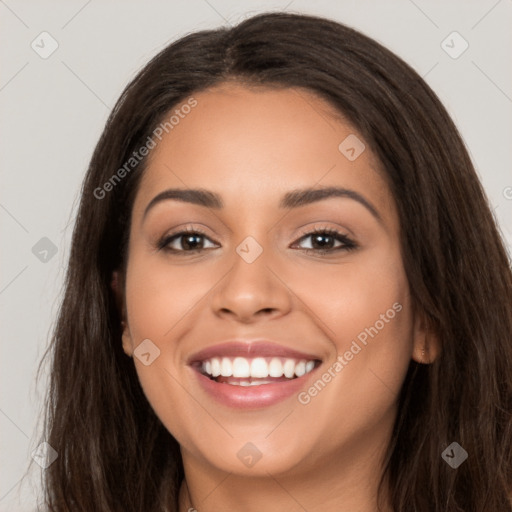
(251,146)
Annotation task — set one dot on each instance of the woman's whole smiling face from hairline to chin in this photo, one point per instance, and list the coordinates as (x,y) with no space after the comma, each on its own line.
(312,333)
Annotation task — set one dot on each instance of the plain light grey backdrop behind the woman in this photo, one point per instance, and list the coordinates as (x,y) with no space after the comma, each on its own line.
(54,109)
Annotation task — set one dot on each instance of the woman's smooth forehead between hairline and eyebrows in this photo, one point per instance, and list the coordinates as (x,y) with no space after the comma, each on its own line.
(257,142)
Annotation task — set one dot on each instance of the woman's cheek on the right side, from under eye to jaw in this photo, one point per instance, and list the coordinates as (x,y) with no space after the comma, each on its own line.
(365,310)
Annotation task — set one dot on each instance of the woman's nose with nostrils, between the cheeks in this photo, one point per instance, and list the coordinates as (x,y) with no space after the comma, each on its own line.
(251,291)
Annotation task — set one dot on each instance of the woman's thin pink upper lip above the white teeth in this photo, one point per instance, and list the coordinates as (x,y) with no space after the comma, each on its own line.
(249,348)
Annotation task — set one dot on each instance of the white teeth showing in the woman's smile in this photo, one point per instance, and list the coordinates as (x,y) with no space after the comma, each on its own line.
(256,368)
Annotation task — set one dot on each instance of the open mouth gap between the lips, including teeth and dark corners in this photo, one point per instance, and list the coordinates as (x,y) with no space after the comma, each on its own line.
(256,371)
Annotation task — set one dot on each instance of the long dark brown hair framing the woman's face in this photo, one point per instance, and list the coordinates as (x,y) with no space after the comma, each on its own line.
(116,455)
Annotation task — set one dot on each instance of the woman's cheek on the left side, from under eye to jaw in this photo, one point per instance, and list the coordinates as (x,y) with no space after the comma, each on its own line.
(163,304)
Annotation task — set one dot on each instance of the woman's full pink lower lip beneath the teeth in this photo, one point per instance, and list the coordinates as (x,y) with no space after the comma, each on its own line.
(252,397)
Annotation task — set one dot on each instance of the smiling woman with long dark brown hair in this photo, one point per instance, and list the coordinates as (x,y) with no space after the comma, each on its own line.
(286,291)
